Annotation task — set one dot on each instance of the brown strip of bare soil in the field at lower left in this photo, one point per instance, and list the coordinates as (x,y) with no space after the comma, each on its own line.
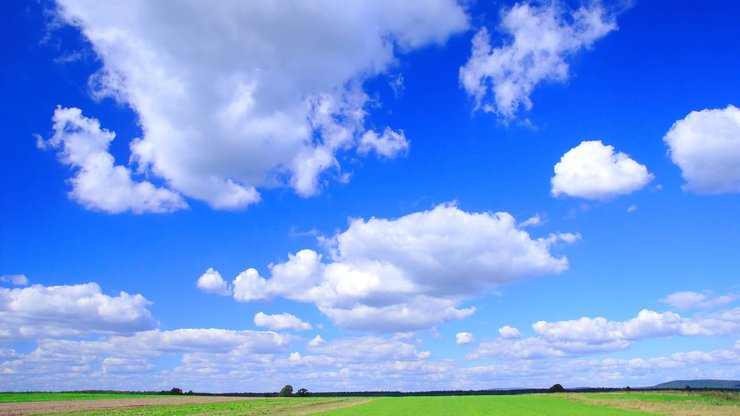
(29,408)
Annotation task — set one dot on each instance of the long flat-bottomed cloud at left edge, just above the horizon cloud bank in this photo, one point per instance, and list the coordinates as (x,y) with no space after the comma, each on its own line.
(51,311)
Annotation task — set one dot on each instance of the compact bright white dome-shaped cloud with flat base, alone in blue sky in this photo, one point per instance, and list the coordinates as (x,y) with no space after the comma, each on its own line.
(593,170)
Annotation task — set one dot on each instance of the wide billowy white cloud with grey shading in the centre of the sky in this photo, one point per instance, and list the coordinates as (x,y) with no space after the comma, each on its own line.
(408,273)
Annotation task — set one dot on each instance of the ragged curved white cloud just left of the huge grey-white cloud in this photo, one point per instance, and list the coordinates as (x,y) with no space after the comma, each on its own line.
(98,183)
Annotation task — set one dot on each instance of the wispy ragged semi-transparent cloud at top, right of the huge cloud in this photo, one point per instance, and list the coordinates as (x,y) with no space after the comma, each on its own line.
(541,39)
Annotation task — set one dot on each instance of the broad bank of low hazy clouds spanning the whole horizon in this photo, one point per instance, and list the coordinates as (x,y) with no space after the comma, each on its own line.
(211,359)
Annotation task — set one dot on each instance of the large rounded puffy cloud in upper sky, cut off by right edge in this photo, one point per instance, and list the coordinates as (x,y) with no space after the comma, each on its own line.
(706,146)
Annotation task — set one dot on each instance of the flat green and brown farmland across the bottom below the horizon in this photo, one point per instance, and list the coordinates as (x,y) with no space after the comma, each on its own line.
(592,404)
